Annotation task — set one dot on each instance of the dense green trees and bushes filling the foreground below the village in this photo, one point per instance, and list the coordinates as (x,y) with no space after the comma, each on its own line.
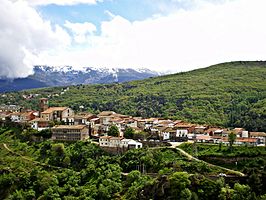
(81,170)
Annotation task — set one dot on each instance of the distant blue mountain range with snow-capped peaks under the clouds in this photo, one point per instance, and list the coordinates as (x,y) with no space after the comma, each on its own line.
(46,76)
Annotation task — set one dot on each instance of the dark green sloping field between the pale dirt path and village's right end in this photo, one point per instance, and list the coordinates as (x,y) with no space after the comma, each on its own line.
(245,159)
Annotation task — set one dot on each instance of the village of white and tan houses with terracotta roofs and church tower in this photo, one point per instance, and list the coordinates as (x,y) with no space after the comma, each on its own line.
(66,125)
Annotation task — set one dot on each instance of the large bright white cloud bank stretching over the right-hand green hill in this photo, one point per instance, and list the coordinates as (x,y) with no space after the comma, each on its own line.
(181,41)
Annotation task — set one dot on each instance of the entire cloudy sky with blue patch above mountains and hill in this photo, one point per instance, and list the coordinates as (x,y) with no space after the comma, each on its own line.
(162,35)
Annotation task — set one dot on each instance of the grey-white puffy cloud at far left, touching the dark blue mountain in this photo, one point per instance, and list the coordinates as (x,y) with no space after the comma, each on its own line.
(23,36)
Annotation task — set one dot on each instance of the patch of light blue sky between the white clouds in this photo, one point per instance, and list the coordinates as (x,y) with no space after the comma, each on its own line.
(132,10)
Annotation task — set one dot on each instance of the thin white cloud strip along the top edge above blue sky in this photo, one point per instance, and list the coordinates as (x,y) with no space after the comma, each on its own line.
(60,2)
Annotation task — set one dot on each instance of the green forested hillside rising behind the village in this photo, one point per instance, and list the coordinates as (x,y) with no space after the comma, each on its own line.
(230,94)
